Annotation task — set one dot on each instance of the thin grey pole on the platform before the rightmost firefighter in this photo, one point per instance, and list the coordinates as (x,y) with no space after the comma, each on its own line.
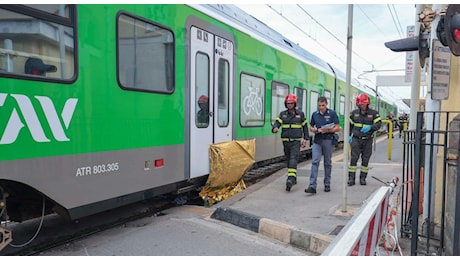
(346,124)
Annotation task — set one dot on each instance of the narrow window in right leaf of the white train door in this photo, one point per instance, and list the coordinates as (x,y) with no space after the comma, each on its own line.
(223,95)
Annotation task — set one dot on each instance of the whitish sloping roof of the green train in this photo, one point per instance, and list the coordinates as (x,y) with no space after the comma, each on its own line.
(254,27)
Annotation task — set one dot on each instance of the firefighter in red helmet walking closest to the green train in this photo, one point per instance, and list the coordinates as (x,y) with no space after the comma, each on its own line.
(294,135)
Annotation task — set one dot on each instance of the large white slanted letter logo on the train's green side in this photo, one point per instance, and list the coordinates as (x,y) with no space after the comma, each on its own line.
(15,124)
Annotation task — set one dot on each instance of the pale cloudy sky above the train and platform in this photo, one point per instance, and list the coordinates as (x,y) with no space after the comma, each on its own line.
(322,30)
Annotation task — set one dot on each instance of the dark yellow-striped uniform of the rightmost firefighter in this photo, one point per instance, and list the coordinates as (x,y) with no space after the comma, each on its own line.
(362,142)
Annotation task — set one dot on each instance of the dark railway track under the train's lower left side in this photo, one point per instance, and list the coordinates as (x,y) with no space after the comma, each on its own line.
(58,232)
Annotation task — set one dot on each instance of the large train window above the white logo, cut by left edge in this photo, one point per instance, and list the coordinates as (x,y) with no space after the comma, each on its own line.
(37,41)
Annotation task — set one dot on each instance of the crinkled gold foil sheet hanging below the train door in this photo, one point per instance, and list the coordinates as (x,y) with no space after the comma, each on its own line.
(229,162)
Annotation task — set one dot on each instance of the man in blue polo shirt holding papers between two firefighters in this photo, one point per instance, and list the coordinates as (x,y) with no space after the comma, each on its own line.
(324,124)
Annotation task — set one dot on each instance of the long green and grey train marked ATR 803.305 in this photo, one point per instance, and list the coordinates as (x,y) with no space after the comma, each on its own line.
(99,104)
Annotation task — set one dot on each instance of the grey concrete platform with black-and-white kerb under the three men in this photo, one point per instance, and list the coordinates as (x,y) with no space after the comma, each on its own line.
(307,221)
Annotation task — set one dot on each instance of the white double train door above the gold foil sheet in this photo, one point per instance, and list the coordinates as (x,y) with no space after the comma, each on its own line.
(211,85)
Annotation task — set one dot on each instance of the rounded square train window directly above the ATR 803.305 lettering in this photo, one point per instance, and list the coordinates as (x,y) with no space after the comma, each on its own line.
(145,55)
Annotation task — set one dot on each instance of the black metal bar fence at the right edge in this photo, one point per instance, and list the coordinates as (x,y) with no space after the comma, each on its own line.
(429,209)
